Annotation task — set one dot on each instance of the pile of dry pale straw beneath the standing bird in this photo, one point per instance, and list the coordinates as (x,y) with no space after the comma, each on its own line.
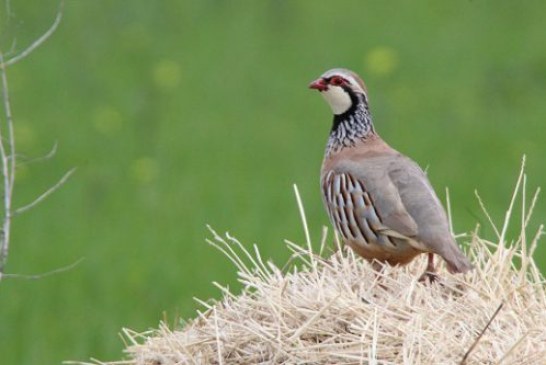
(338,310)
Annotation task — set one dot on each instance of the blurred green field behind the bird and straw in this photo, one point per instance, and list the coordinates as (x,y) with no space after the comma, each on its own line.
(179,114)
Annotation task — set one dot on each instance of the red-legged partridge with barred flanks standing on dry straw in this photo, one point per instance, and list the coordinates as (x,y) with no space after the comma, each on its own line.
(379,200)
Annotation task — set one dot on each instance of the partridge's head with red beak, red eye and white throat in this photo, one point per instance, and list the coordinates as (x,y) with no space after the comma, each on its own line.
(341,88)
